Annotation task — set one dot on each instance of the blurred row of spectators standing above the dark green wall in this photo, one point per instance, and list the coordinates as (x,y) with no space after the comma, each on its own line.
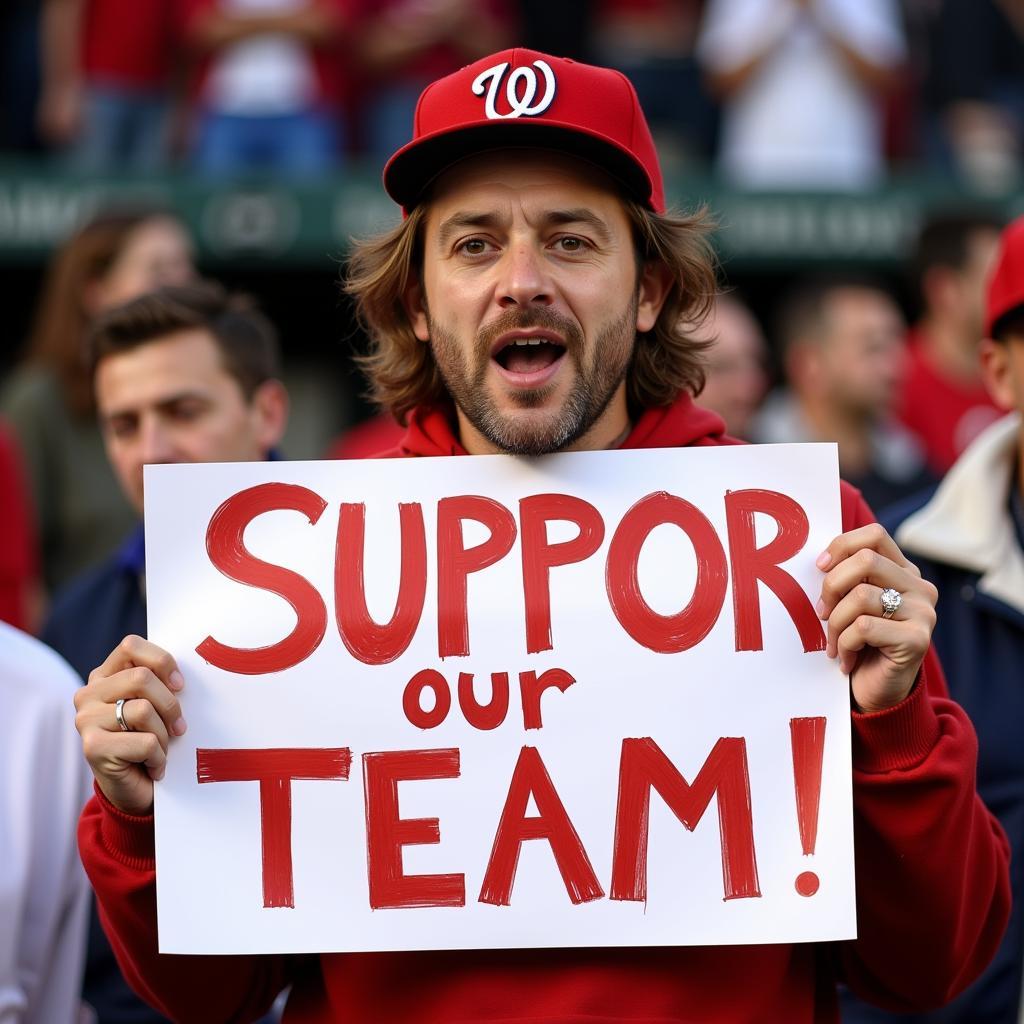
(766,94)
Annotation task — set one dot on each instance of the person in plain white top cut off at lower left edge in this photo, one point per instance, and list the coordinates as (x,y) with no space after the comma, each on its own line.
(45,784)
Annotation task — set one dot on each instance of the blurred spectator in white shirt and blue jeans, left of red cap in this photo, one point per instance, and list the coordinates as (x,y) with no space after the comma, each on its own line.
(272,84)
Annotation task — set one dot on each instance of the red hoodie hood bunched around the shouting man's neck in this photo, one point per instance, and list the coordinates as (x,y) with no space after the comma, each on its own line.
(433,432)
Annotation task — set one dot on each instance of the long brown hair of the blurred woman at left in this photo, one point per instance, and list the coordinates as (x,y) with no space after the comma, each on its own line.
(62,316)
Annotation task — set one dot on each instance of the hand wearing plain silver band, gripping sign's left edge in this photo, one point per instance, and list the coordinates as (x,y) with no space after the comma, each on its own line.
(126,763)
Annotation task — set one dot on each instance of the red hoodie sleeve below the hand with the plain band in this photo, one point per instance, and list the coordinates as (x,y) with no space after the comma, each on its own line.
(119,857)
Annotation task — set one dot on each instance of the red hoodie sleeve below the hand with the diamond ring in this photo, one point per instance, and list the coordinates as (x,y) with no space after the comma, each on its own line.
(933,885)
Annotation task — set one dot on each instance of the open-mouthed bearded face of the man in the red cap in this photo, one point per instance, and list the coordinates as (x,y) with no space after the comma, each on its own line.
(531,300)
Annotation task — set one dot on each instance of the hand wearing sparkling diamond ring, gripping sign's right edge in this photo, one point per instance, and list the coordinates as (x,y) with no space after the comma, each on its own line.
(880,615)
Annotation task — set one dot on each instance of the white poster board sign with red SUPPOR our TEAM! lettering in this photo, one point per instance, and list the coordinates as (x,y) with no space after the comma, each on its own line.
(483,703)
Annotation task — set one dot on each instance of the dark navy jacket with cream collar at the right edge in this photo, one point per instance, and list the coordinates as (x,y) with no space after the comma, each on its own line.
(968,538)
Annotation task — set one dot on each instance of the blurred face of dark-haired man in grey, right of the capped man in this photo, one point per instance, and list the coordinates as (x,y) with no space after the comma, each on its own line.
(864,352)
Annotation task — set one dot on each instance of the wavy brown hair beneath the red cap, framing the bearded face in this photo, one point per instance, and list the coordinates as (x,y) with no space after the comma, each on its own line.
(667,360)
